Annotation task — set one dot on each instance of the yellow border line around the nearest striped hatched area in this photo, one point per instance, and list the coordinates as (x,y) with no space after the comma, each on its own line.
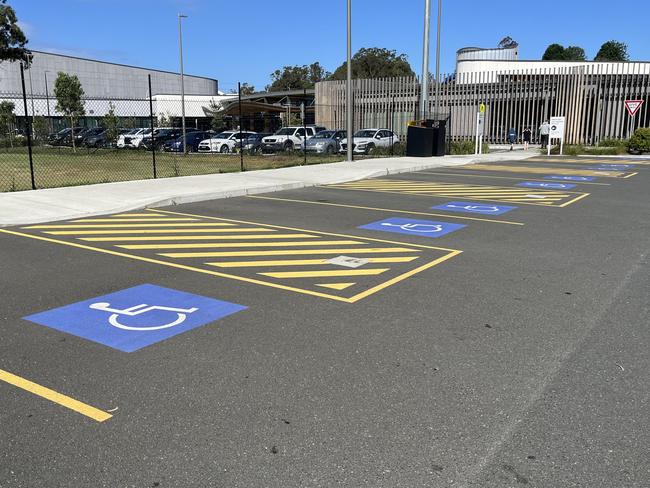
(451,253)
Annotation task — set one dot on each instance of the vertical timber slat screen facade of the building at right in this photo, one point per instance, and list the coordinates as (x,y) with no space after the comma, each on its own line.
(591,97)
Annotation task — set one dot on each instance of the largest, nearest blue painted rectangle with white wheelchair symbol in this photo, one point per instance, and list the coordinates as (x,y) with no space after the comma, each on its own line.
(131,319)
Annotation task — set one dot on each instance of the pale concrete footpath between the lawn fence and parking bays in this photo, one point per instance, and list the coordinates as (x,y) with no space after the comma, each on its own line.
(36,206)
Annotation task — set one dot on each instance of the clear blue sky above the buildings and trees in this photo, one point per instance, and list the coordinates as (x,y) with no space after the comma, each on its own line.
(231,43)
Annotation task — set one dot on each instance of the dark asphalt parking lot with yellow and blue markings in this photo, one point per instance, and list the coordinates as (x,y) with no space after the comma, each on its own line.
(482,325)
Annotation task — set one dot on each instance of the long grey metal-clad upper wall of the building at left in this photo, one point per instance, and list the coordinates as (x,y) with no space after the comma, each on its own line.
(100,79)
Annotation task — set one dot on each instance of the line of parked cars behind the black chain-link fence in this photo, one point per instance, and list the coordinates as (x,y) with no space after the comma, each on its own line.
(314,139)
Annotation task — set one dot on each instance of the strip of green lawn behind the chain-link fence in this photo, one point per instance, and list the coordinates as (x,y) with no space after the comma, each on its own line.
(55,167)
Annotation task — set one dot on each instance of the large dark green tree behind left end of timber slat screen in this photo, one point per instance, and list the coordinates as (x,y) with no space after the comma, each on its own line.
(375,62)
